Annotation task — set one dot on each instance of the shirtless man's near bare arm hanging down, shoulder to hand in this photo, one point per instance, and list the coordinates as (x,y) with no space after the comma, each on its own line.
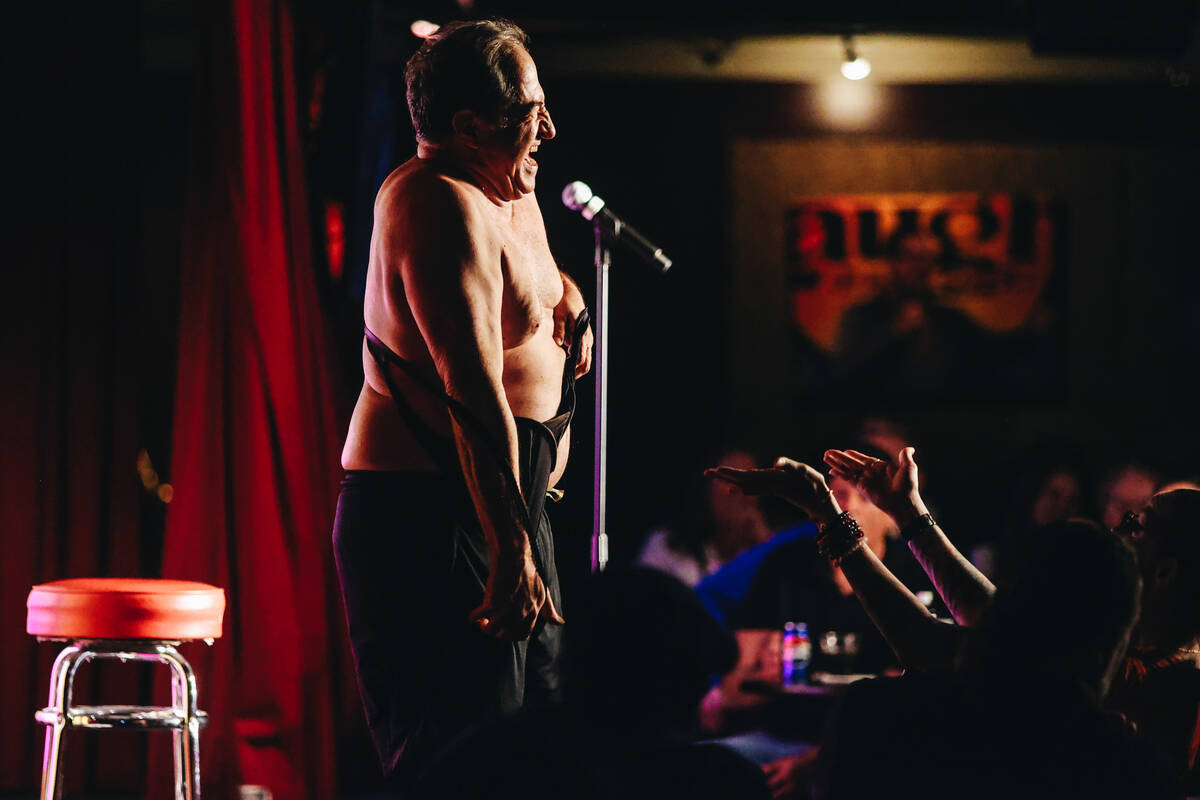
(449,264)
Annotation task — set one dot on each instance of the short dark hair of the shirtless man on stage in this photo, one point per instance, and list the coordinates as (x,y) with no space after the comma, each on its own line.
(465,65)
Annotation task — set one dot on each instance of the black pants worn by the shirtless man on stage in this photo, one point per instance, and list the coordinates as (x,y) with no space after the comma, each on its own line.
(413,564)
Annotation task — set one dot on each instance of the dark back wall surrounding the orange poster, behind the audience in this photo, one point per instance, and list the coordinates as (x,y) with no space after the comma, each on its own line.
(661,154)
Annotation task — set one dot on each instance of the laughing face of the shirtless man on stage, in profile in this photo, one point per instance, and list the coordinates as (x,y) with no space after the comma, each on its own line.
(509,148)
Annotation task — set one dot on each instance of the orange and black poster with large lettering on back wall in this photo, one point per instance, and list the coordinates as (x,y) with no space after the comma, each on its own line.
(926,296)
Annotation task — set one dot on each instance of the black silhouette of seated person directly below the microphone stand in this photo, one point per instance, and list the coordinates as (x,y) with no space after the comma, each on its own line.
(641,652)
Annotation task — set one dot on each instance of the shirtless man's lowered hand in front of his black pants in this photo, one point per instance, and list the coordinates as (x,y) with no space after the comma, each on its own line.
(514,600)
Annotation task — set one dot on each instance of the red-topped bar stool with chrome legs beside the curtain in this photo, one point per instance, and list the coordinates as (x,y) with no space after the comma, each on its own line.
(131,619)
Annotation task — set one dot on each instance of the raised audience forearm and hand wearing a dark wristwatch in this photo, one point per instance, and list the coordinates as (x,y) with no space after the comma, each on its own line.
(895,489)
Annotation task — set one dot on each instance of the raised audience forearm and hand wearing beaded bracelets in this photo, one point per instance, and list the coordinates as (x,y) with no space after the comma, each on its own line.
(916,636)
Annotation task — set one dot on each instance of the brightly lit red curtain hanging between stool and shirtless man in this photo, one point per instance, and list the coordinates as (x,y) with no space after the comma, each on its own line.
(256,434)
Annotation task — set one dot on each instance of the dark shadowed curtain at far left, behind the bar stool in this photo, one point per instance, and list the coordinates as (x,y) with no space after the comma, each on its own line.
(75,360)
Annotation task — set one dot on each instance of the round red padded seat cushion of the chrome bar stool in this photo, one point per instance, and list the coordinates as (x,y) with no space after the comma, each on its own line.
(125,609)
